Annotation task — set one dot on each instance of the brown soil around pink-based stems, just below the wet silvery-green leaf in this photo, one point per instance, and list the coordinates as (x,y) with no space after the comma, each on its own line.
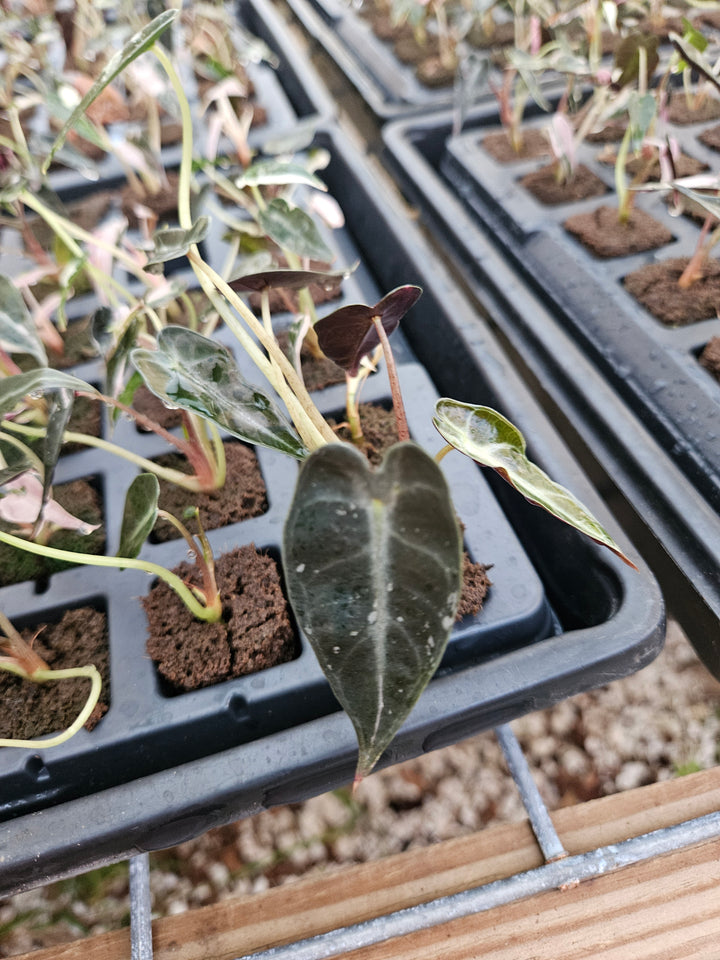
(243,495)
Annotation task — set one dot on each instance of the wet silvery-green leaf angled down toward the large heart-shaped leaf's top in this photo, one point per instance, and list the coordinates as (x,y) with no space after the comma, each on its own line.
(194,373)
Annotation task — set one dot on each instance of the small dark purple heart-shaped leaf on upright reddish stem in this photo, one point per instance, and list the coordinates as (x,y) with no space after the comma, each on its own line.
(348,334)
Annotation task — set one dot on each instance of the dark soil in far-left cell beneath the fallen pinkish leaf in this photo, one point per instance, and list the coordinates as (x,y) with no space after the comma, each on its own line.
(81,499)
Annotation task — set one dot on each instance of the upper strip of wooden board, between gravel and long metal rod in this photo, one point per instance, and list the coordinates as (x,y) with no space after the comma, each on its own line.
(231,928)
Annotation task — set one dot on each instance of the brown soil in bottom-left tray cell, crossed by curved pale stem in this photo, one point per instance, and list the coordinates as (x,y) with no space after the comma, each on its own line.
(32,710)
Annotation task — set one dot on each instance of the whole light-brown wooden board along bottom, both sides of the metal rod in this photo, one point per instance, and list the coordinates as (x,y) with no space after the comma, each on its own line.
(665,909)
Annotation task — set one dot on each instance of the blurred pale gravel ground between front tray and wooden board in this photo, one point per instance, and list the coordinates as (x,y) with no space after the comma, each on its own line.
(657,724)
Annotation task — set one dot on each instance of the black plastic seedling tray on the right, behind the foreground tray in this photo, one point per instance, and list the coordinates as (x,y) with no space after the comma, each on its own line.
(629,391)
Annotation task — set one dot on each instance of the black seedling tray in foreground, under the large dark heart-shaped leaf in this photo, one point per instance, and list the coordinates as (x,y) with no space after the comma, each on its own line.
(576,617)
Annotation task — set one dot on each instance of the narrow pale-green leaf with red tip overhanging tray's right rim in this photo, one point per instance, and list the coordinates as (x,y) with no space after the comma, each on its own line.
(487,437)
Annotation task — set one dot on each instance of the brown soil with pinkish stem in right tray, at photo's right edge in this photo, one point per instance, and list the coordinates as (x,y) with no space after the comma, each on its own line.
(655,286)
